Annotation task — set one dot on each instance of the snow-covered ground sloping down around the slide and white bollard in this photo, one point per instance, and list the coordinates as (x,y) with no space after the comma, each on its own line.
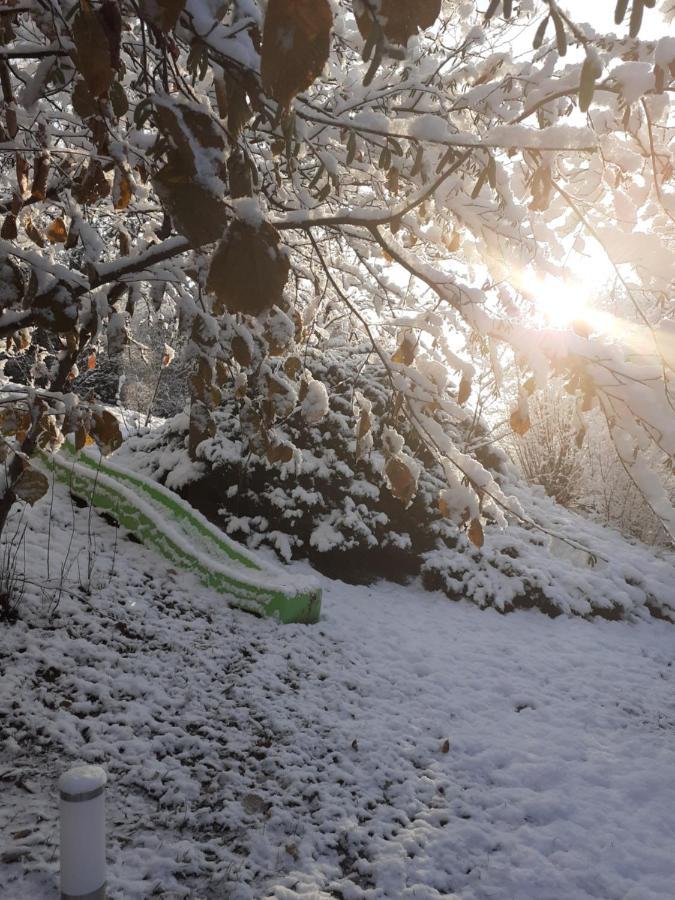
(404,747)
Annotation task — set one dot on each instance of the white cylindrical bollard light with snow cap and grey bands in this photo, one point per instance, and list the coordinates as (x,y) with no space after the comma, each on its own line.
(82,792)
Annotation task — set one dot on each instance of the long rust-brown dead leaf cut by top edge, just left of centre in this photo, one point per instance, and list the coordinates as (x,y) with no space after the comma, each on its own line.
(296,43)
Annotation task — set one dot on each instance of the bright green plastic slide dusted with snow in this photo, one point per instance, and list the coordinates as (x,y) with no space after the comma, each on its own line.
(165,522)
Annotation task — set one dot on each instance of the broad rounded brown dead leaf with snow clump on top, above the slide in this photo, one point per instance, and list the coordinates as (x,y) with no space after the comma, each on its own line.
(248,271)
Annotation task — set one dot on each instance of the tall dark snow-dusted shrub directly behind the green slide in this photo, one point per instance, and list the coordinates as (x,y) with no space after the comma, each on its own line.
(325,503)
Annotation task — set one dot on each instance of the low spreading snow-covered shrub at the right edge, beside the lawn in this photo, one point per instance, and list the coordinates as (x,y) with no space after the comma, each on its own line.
(519,568)
